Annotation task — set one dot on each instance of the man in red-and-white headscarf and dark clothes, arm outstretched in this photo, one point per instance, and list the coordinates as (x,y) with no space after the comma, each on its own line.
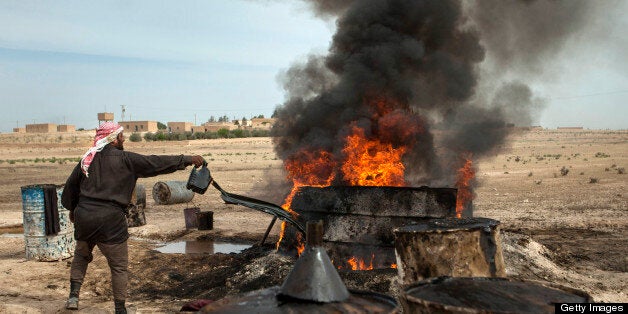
(97,194)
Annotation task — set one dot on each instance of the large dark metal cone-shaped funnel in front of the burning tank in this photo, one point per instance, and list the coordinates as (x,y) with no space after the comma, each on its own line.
(314,277)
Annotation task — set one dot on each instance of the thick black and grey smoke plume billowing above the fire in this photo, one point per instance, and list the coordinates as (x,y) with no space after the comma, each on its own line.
(408,73)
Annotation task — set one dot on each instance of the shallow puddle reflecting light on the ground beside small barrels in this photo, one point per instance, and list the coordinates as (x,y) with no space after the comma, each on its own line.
(202,247)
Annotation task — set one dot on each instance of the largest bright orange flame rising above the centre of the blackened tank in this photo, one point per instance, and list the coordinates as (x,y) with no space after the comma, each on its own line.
(372,163)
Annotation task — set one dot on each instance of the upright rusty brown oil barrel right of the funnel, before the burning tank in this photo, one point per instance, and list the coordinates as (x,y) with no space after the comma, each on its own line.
(456,247)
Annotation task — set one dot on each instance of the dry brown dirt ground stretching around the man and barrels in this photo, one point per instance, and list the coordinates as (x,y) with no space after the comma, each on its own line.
(560,196)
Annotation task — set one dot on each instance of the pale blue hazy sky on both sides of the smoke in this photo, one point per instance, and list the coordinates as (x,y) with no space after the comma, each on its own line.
(65,61)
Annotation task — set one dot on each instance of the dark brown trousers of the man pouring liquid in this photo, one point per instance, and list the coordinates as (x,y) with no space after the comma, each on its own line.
(117,257)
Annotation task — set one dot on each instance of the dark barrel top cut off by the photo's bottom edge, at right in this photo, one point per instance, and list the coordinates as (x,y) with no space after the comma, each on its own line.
(486,295)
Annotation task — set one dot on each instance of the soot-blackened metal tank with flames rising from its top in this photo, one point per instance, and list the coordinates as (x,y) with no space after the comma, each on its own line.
(359,220)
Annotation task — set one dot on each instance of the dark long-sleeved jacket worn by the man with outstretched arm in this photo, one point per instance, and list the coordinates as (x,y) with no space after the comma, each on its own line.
(99,201)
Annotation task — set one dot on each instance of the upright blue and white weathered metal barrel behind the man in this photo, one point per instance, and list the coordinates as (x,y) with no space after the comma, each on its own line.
(40,246)
